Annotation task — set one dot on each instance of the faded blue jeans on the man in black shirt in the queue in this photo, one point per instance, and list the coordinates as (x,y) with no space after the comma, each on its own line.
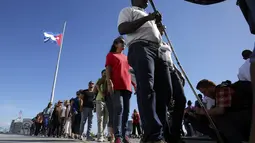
(87,113)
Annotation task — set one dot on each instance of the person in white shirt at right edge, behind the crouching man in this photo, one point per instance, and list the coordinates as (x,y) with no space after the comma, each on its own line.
(244,70)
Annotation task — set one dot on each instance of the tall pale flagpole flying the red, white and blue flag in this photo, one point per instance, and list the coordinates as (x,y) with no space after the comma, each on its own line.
(57,66)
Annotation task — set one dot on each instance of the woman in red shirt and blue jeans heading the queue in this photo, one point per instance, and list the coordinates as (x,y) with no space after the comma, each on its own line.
(119,86)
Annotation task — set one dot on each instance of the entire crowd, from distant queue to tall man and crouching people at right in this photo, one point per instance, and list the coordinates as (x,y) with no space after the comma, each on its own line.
(159,88)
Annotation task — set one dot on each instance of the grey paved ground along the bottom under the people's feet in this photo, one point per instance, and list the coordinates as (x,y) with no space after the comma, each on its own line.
(8,138)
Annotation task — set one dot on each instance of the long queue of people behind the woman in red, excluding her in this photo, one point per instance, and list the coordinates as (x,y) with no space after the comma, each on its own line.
(69,118)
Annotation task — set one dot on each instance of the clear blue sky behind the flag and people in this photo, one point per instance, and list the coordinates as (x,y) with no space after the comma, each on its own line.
(208,41)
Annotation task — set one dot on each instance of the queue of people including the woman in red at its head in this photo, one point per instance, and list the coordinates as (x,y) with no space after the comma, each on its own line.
(109,98)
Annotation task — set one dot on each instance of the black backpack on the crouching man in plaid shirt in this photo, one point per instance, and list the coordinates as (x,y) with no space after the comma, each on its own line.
(243,94)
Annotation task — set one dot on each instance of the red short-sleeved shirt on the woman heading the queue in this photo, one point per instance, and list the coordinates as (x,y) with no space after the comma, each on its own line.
(120,76)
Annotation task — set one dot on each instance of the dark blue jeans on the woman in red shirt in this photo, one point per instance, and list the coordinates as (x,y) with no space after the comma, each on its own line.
(121,105)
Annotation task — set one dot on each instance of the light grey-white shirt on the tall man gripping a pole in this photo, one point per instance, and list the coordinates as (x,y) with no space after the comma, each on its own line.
(148,31)
